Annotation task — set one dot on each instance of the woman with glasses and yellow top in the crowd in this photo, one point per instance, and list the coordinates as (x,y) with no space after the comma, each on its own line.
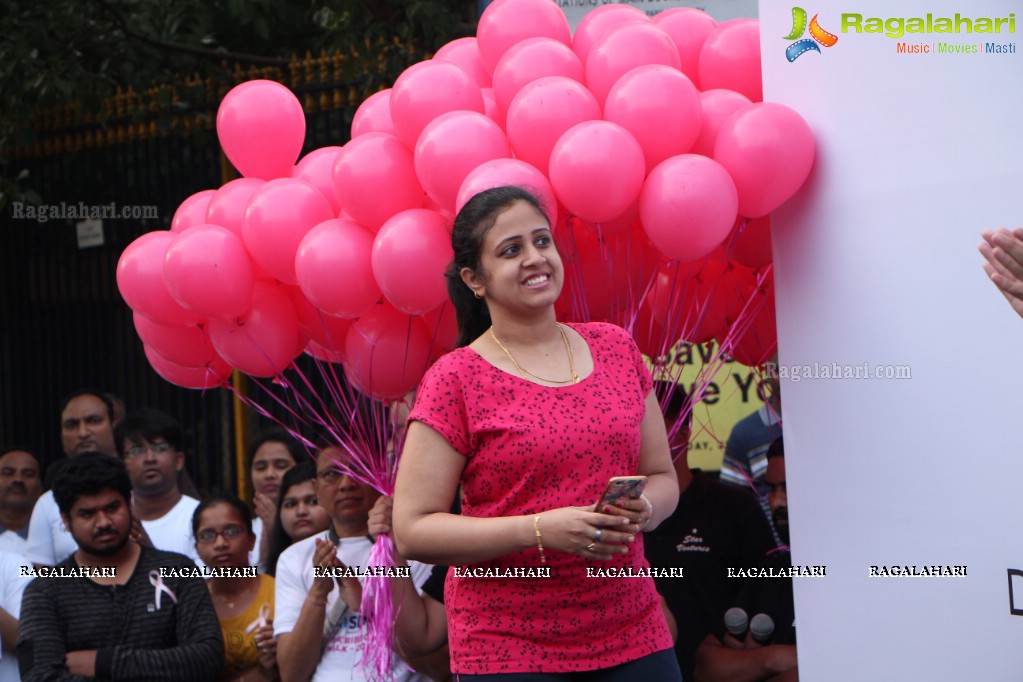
(244,601)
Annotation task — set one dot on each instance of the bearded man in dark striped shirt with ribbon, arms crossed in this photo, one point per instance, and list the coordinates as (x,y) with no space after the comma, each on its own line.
(109,612)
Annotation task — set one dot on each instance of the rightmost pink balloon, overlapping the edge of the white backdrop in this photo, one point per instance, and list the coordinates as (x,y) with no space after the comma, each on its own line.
(768,150)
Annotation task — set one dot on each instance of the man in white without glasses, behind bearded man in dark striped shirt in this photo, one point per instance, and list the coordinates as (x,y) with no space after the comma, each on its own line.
(86,426)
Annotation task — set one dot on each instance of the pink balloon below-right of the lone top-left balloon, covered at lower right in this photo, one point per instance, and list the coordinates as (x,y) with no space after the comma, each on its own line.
(279,216)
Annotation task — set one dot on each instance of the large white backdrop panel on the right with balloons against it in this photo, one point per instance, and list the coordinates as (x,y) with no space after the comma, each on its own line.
(920,148)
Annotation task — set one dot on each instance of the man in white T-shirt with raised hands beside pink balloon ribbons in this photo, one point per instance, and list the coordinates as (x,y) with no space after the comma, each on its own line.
(321,634)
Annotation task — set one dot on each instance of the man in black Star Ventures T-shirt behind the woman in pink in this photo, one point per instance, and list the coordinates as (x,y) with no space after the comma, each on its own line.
(713,529)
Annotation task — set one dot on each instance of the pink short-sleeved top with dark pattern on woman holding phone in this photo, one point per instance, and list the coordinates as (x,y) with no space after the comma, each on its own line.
(530,448)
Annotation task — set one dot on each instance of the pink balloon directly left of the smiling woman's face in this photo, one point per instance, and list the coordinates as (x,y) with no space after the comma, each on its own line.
(411,254)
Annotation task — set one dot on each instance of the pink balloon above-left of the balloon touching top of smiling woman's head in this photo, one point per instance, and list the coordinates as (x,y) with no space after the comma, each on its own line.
(451,148)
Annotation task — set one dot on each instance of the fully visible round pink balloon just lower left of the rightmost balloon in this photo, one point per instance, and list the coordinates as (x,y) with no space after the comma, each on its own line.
(688,207)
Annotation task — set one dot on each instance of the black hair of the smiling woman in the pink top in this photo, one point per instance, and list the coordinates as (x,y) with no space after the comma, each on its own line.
(471,226)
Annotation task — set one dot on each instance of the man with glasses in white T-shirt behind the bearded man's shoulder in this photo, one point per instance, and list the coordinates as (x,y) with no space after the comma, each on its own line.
(150,443)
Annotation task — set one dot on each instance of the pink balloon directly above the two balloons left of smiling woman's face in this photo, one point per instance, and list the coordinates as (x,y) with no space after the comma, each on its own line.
(375,178)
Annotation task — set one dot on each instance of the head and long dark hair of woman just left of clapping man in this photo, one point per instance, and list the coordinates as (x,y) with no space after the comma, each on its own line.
(299,514)
